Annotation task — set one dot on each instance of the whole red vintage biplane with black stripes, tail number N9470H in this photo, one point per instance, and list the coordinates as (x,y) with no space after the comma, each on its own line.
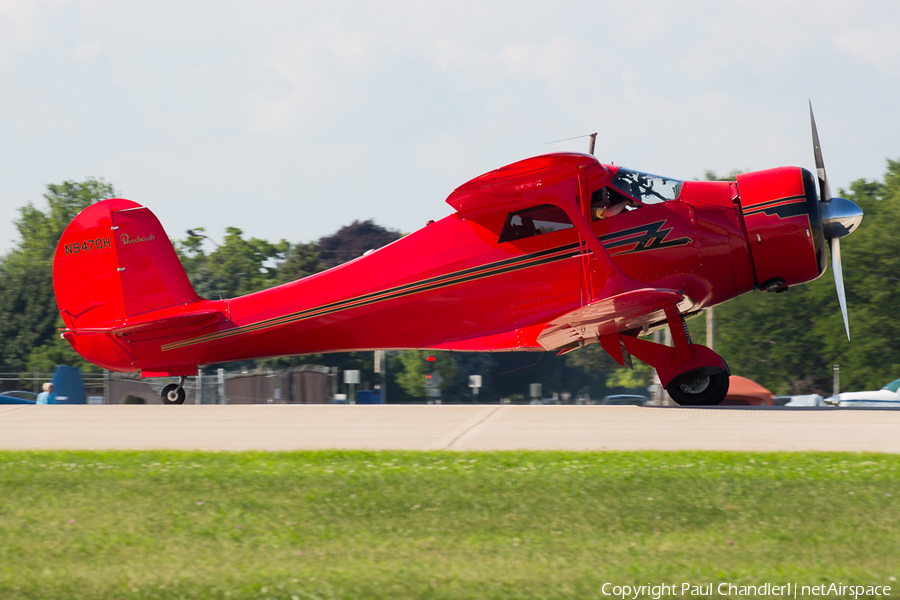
(546,254)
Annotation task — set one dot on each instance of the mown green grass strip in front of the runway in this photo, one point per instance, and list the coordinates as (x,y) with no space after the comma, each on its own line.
(439,524)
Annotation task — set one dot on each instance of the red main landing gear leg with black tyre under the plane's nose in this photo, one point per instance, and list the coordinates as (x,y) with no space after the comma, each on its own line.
(692,374)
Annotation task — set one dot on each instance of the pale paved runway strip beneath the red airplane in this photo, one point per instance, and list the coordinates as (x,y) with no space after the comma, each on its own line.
(483,427)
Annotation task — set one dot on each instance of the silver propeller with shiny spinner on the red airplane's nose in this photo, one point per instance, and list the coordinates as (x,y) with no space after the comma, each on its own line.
(839,218)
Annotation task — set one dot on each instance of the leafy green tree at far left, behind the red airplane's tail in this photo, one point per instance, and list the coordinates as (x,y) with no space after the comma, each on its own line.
(29,316)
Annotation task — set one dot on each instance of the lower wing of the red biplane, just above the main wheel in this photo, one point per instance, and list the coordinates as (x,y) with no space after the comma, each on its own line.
(622,312)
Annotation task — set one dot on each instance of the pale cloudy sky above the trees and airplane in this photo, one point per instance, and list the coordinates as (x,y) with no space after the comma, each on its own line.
(292,119)
